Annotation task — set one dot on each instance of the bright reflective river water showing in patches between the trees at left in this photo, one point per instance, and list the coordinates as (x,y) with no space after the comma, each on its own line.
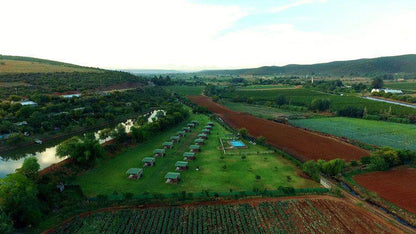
(46,152)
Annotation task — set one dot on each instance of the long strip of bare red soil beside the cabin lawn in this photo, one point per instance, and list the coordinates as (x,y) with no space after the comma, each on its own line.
(300,143)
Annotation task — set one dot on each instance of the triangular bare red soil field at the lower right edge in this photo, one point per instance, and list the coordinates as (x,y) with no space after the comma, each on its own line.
(396,186)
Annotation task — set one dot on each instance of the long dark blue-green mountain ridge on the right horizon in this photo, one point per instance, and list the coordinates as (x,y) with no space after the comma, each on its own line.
(360,67)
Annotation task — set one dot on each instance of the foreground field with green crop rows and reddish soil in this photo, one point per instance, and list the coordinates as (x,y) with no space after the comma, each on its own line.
(286,215)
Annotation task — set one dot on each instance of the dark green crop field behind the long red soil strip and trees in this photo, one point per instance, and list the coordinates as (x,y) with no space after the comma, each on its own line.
(305,96)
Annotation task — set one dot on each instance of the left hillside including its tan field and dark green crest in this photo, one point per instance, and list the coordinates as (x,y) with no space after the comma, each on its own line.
(17,64)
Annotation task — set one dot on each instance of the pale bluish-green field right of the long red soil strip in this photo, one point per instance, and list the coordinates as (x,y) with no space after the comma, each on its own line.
(402,136)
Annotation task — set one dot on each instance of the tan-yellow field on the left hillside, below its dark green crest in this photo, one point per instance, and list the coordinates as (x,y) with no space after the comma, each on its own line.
(16,66)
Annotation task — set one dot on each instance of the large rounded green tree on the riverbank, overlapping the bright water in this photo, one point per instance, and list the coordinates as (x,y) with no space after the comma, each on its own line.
(84,150)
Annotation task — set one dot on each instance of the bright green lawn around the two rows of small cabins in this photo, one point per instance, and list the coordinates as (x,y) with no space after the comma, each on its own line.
(239,174)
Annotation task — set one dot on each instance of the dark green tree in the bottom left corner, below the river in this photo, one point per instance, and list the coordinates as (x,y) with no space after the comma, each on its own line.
(19,199)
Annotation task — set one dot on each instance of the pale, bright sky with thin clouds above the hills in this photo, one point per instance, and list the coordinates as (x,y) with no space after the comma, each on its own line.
(209,34)
